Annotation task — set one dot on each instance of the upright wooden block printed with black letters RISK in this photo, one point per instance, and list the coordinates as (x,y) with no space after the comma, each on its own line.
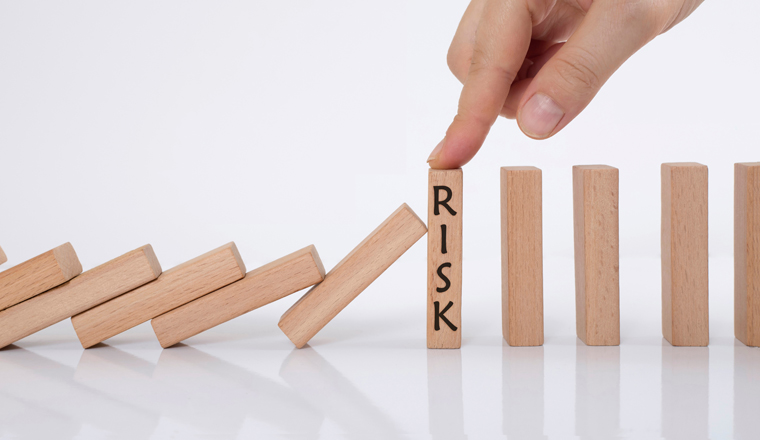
(444,310)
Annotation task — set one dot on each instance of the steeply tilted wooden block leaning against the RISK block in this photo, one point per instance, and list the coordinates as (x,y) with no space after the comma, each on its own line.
(352,275)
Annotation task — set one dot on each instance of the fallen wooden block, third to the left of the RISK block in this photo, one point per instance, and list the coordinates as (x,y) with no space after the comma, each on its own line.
(175,287)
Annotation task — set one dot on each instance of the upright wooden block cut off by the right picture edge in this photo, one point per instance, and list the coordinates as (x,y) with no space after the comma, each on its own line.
(747,253)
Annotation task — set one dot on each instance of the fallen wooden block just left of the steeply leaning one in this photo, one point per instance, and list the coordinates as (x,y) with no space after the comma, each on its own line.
(260,287)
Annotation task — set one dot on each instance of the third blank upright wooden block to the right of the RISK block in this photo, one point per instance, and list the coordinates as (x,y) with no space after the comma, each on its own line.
(684,254)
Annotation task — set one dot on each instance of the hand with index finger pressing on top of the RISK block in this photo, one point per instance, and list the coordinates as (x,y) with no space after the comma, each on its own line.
(510,56)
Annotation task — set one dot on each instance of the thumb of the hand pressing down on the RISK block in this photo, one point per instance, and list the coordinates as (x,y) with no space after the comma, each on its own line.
(610,33)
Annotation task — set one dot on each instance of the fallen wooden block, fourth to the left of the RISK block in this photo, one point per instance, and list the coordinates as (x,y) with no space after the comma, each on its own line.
(93,287)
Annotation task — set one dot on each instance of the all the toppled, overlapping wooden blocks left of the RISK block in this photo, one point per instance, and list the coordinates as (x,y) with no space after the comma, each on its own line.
(196,295)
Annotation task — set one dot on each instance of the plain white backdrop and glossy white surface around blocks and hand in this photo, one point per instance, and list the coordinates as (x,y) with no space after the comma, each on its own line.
(276,125)
